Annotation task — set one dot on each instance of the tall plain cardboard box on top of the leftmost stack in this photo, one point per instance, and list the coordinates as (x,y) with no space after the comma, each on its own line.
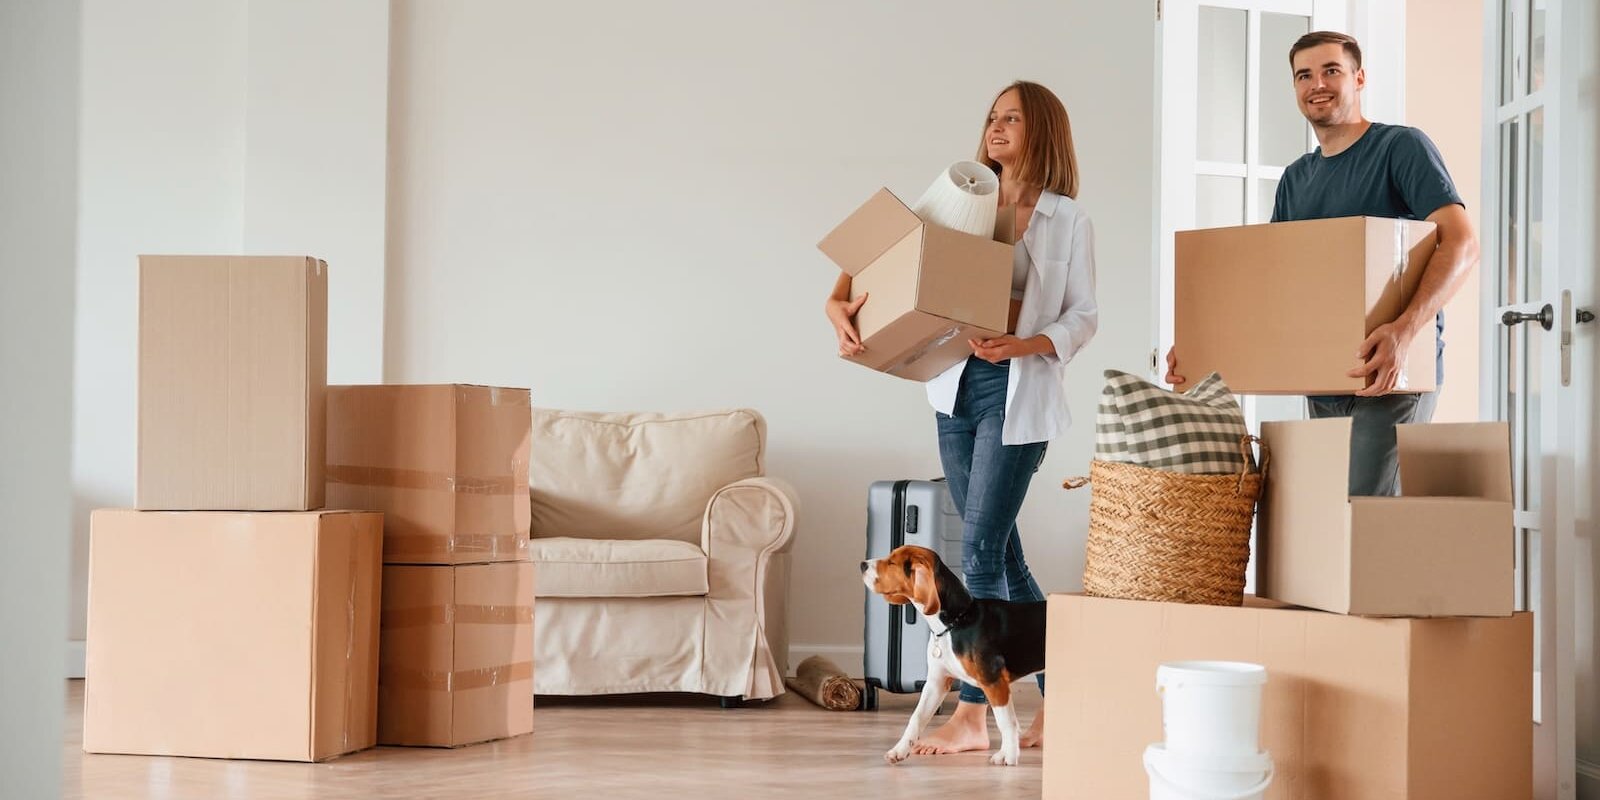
(233,367)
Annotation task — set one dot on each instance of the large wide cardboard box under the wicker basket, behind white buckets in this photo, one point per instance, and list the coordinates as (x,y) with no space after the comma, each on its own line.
(1353,710)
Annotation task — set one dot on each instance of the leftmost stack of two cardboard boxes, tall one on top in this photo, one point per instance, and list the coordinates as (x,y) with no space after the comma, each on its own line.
(230,617)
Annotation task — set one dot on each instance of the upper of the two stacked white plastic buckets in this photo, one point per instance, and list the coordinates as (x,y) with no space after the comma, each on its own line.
(1212,708)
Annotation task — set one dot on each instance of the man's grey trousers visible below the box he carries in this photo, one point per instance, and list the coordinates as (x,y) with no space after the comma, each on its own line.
(1375,458)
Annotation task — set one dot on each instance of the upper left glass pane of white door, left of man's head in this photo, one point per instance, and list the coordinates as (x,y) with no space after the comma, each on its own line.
(1222,86)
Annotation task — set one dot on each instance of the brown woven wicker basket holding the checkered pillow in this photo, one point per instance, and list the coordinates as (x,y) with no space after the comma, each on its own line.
(1169,537)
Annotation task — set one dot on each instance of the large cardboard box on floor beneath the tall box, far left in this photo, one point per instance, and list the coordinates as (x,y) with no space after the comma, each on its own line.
(233,636)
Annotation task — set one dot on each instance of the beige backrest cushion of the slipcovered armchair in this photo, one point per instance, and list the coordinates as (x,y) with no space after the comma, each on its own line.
(638,476)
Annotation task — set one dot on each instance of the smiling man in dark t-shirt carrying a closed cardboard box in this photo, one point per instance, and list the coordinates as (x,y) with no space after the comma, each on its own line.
(1366,169)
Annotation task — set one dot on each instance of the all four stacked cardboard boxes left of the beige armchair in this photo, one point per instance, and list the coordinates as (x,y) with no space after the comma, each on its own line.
(233,615)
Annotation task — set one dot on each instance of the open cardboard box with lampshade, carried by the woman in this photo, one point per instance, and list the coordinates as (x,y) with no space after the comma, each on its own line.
(932,289)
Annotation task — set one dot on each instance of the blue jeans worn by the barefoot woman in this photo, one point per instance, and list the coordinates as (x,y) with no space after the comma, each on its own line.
(988,484)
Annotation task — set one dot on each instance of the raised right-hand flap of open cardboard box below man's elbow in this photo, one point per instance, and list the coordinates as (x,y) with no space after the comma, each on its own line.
(1455,460)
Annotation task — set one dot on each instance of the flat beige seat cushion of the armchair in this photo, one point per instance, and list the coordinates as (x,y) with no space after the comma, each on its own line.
(572,567)
